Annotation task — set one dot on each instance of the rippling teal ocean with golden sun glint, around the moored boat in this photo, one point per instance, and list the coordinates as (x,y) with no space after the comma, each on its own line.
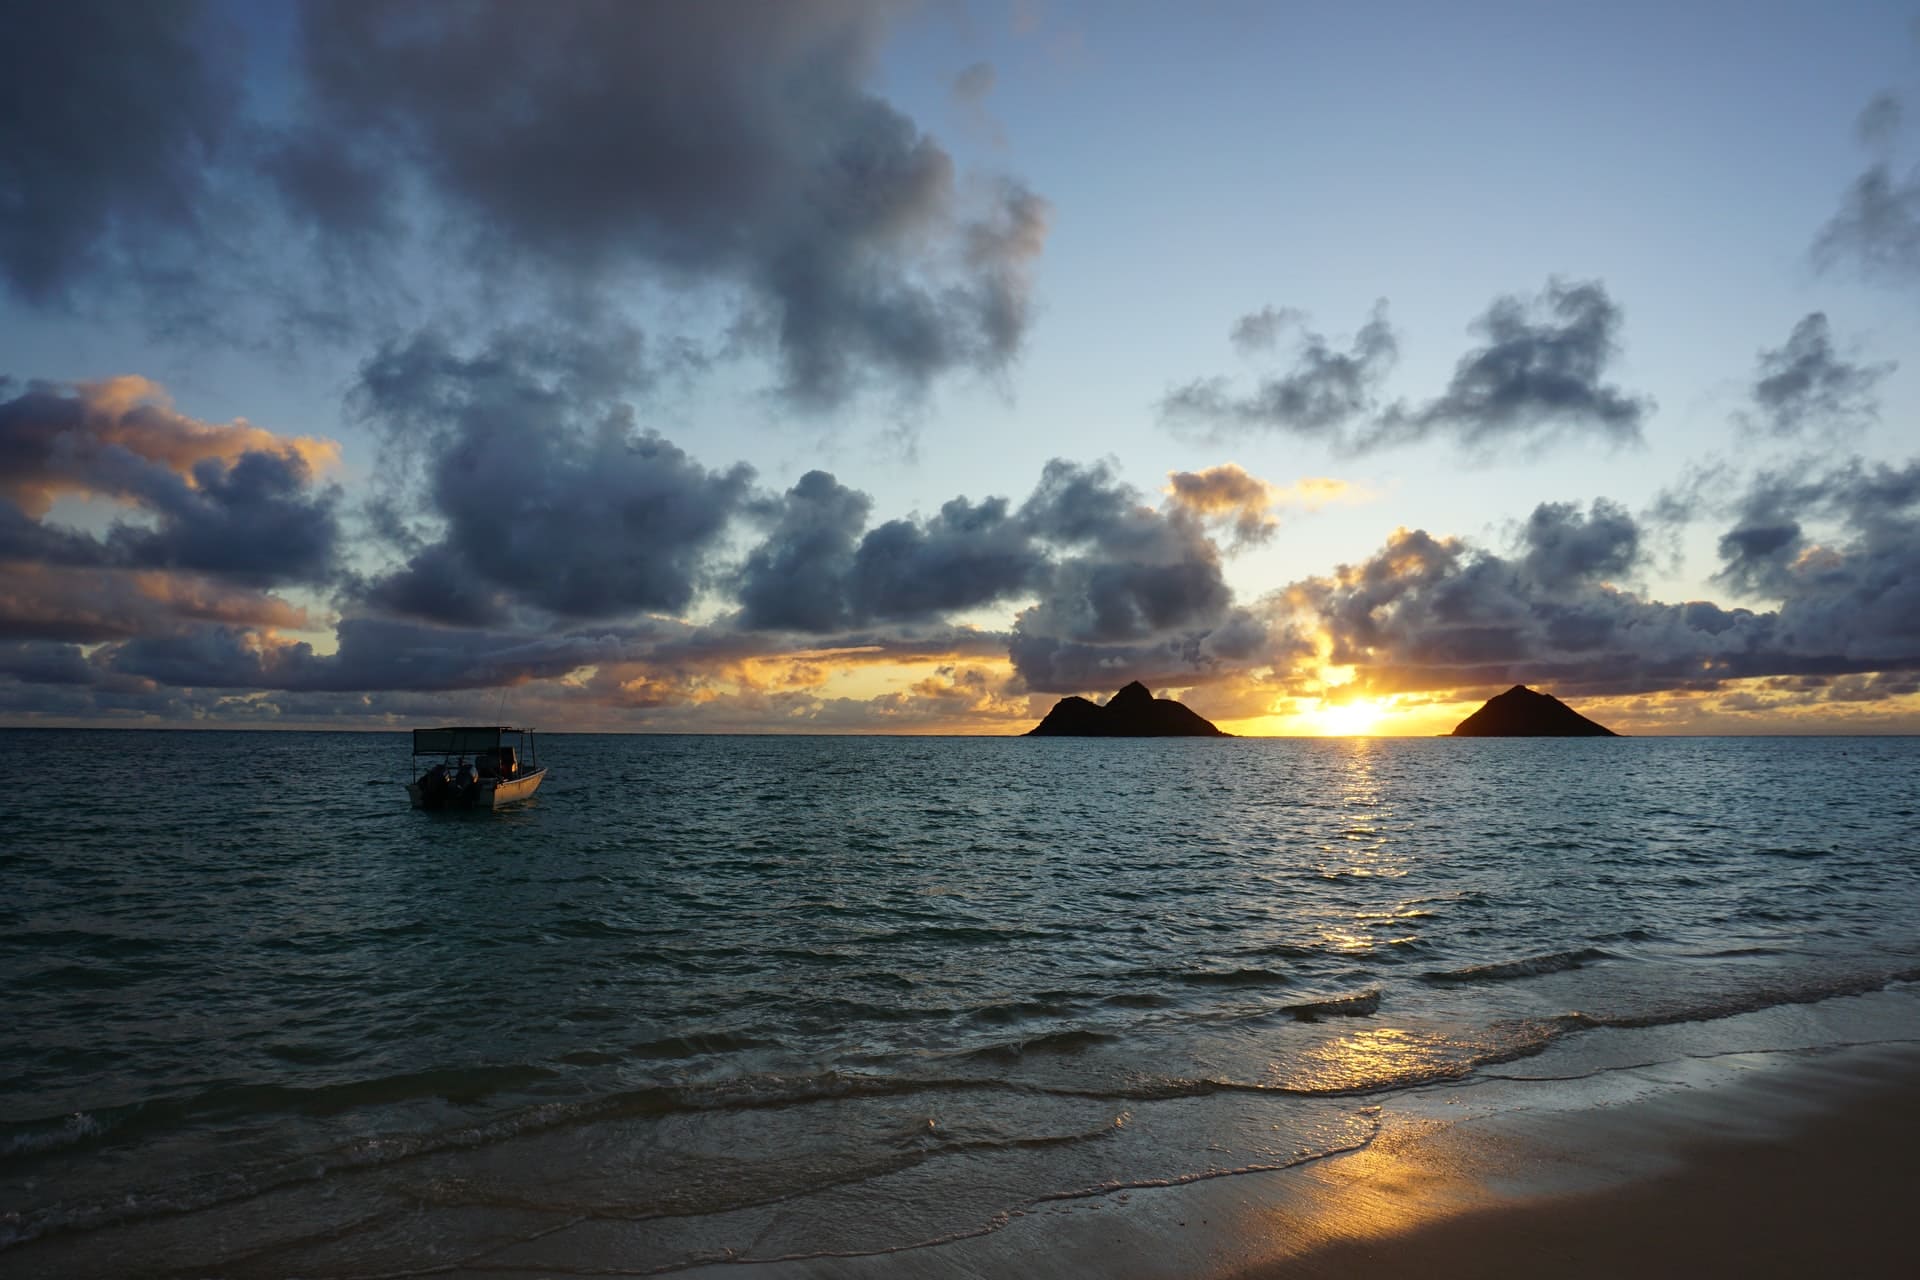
(731,999)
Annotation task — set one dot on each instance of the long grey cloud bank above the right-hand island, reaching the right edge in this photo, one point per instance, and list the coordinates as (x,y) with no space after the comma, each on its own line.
(1433,613)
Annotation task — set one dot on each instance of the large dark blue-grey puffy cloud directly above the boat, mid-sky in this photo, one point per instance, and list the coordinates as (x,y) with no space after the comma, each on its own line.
(548,490)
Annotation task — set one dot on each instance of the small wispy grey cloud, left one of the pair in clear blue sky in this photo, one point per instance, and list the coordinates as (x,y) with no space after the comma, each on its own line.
(1320,396)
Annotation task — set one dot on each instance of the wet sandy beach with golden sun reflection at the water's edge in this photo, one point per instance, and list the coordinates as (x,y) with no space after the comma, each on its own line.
(1750,1164)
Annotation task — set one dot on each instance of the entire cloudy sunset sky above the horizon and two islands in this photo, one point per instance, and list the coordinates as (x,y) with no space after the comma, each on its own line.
(867,367)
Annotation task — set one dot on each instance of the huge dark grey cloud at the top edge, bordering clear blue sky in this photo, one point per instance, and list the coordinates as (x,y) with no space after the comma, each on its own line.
(717,143)
